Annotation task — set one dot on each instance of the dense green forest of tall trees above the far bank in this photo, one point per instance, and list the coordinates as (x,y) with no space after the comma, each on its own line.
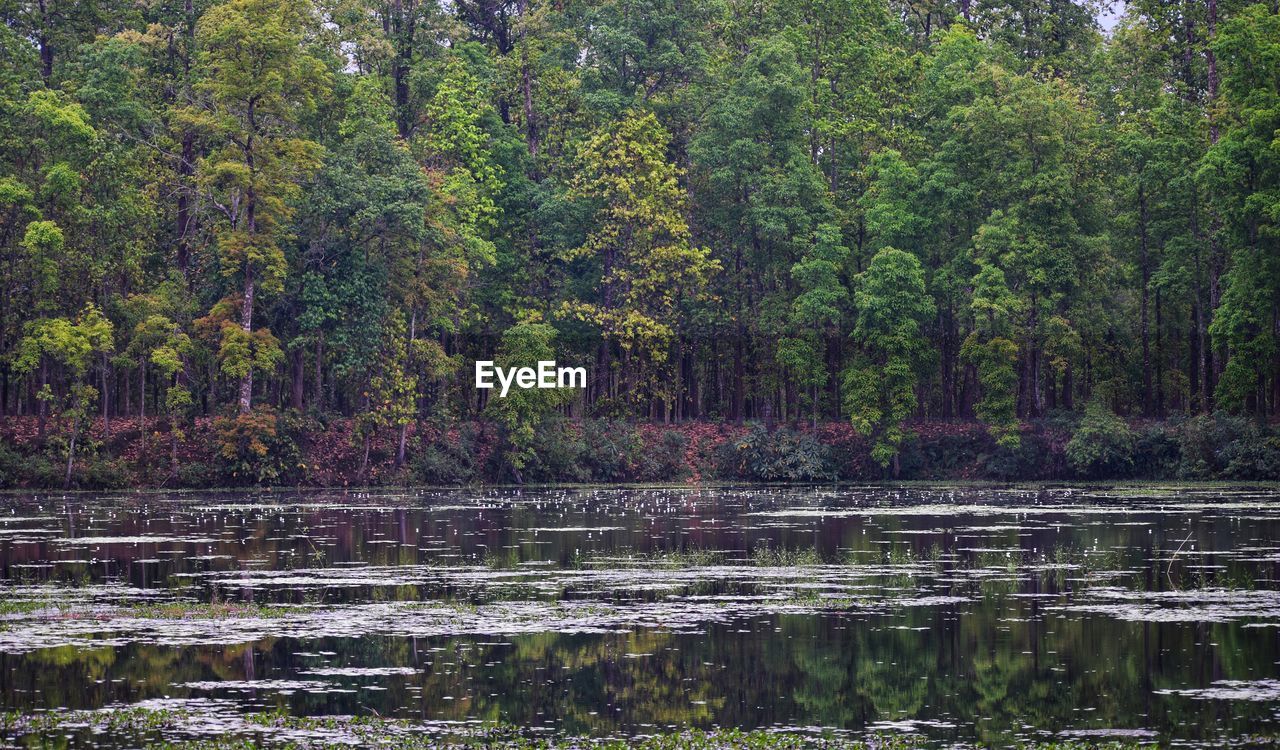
(880,213)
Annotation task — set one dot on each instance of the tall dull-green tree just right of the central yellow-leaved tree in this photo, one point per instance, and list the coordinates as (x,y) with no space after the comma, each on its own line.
(760,199)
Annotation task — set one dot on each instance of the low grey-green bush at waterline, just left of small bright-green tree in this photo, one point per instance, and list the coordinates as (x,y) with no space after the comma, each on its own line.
(779,456)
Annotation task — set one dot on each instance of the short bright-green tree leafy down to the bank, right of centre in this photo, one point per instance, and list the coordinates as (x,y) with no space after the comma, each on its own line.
(880,387)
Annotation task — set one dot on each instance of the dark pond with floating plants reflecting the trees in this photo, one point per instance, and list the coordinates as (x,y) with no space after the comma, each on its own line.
(948,614)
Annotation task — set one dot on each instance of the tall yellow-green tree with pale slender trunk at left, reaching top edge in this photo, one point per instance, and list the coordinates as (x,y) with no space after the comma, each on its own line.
(257,80)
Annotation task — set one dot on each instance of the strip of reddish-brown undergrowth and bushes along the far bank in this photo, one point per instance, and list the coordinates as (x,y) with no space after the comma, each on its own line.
(310,451)
